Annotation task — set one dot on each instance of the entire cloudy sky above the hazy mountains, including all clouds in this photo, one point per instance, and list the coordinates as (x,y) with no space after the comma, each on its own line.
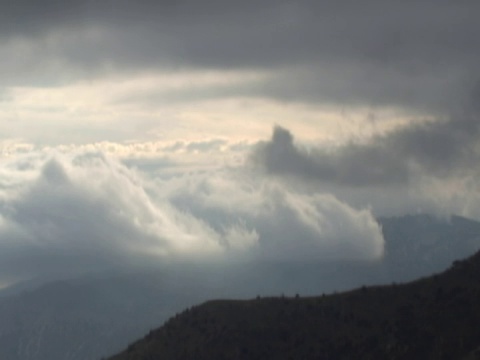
(136,132)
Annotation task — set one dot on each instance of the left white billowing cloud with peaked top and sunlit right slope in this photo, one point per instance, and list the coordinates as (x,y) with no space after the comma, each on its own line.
(96,212)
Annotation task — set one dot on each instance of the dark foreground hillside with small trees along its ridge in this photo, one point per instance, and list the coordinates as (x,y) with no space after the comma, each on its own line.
(433,318)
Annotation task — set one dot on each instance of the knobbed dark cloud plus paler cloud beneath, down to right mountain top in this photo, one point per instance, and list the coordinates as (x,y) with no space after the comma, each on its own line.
(431,167)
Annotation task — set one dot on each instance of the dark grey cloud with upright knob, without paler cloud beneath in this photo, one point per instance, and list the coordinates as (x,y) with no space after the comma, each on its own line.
(440,149)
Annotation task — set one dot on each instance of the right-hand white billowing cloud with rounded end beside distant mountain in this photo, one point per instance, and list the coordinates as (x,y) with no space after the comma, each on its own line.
(290,225)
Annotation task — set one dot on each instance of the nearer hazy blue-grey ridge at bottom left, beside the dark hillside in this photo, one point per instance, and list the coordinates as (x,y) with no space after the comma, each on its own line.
(85,318)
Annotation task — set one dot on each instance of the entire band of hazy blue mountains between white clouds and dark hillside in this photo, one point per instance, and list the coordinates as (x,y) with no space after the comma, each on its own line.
(90,317)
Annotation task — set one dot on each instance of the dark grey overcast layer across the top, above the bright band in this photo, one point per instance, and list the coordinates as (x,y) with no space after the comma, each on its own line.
(415,54)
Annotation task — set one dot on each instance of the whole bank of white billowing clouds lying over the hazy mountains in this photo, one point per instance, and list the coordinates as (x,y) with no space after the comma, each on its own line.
(65,214)
